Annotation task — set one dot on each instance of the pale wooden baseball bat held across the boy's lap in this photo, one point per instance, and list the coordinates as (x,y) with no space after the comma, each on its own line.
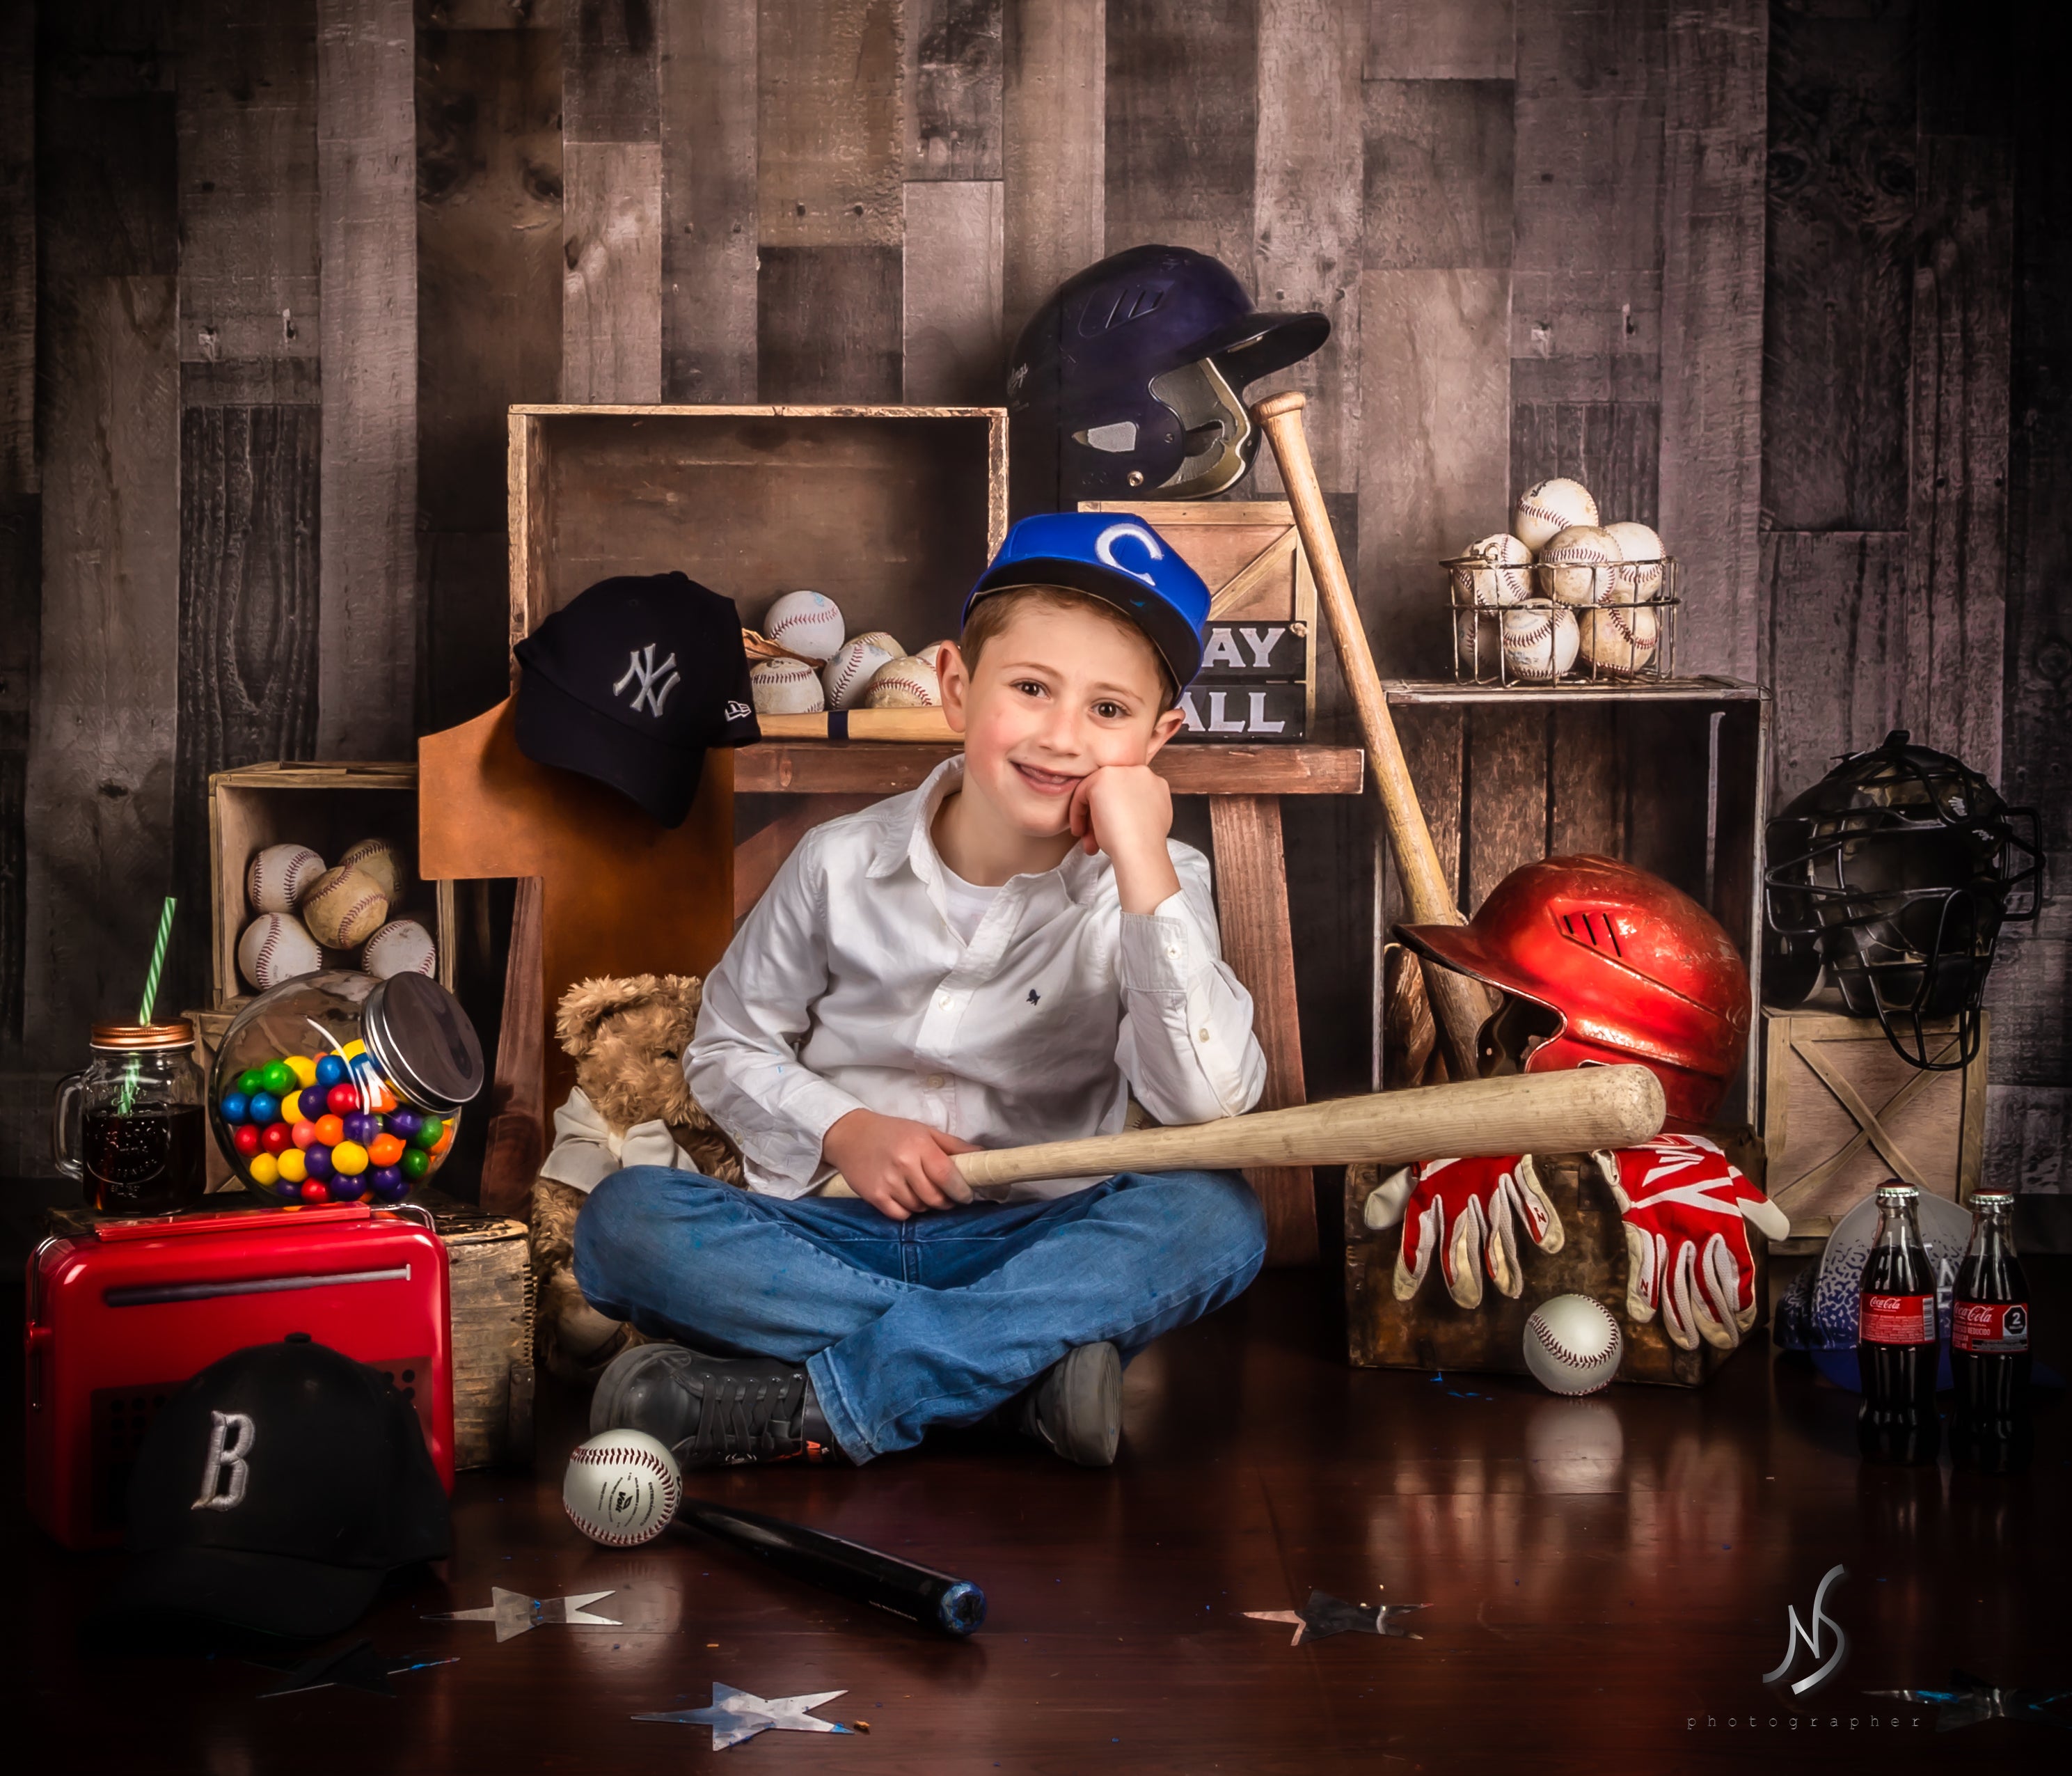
(1576,1112)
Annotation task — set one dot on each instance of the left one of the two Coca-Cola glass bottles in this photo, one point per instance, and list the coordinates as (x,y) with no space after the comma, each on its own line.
(1897,1338)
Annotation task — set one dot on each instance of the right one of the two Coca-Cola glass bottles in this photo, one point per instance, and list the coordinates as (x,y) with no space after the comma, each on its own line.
(1990,1344)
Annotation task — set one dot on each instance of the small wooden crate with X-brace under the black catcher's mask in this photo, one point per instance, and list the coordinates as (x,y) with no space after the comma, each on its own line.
(1843,1114)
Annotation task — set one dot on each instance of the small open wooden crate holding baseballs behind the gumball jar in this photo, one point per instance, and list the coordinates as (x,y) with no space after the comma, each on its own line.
(324,807)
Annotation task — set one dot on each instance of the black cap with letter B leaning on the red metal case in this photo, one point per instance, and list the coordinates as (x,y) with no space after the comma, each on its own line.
(275,1493)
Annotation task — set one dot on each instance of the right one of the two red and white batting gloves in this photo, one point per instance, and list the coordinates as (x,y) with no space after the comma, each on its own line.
(1688,1238)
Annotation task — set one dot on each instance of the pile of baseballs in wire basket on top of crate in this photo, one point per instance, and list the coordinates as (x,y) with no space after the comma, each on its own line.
(1559,590)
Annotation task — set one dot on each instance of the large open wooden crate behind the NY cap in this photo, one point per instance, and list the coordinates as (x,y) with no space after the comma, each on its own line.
(890,511)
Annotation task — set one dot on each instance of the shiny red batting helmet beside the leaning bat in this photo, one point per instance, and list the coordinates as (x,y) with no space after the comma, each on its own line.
(1601,963)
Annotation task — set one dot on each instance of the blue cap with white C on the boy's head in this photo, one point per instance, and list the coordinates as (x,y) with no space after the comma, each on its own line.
(1114,558)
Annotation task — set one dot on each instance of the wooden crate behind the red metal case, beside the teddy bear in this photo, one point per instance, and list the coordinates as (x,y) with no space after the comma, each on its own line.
(490,1292)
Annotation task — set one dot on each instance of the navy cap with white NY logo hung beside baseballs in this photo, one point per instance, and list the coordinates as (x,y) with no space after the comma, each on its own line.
(633,683)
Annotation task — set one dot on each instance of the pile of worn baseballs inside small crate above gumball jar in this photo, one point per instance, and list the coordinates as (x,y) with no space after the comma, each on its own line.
(308,909)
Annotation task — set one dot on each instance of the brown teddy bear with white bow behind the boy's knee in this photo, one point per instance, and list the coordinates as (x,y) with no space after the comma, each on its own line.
(631,1108)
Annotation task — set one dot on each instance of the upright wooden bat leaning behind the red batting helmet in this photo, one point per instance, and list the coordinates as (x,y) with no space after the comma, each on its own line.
(1460,1006)
